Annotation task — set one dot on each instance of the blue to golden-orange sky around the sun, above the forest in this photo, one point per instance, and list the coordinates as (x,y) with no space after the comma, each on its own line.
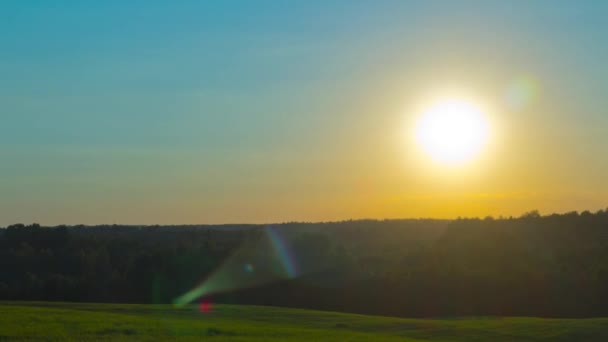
(165,112)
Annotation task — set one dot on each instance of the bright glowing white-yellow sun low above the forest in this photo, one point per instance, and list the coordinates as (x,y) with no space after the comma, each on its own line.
(452,131)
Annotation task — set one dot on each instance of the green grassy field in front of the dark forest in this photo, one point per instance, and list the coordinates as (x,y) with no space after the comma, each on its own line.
(70,321)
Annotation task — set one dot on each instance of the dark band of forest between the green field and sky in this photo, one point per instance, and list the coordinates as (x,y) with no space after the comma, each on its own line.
(533,265)
